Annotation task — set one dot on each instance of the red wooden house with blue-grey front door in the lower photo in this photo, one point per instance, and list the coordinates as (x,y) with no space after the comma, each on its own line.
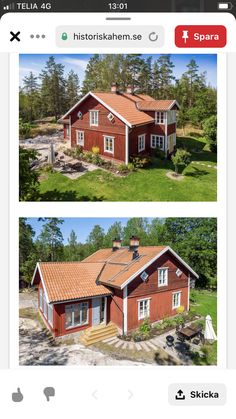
(118,287)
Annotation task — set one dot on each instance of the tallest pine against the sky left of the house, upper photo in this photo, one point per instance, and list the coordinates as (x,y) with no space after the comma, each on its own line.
(53,88)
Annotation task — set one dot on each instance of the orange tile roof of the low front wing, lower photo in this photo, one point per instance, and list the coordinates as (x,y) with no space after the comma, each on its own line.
(71,280)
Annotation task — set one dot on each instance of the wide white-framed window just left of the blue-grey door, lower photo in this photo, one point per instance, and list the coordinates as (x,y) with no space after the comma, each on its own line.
(76,315)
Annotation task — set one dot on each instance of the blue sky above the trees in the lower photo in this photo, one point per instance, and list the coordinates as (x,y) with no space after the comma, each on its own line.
(81,226)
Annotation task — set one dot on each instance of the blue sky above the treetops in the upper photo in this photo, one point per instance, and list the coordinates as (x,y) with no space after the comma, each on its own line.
(78,63)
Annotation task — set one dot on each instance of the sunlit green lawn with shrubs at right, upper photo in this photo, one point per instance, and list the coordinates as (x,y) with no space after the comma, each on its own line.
(150,184)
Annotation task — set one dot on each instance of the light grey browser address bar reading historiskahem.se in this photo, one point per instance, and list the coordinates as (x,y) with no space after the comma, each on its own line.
(110,36)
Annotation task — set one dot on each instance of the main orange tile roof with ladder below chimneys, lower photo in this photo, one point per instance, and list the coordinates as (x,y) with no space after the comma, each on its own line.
(119,266)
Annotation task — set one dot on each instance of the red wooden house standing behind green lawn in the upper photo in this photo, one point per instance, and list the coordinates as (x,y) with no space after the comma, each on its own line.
(121,124)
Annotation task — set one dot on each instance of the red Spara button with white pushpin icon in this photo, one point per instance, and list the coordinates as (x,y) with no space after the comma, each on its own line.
(200,36)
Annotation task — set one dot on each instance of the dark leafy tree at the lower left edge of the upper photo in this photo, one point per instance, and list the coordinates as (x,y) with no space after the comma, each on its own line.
(28,178)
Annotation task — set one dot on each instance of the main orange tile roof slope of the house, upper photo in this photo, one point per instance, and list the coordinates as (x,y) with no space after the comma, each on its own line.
(126,106)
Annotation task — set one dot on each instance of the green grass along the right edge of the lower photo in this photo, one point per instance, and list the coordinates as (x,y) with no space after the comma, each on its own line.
(206,303)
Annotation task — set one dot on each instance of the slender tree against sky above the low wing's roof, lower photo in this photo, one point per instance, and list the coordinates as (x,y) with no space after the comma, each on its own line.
(51,239)
